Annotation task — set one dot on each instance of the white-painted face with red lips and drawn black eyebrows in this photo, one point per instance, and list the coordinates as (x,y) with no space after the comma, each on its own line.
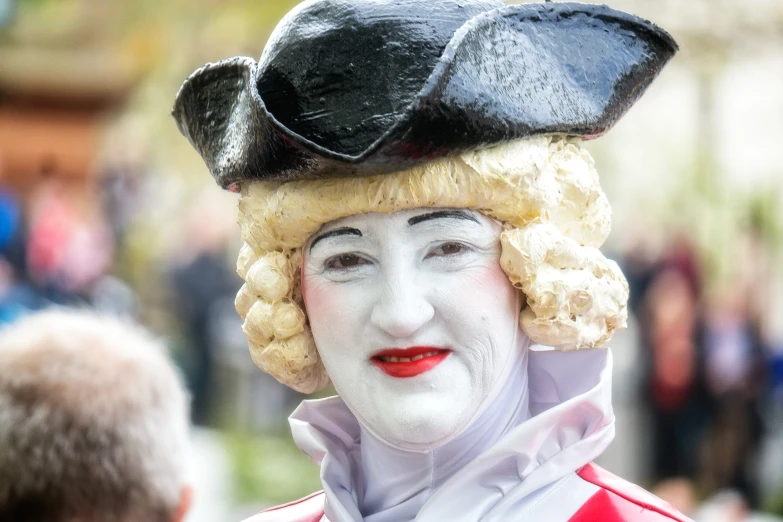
(413,317)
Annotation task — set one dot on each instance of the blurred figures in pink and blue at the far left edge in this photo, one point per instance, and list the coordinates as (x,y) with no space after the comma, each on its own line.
(58,248)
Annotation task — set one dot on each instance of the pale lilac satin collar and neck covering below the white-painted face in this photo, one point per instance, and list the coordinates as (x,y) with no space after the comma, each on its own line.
(511,450)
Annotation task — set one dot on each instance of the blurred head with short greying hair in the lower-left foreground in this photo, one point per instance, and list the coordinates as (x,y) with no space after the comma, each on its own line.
(93,423)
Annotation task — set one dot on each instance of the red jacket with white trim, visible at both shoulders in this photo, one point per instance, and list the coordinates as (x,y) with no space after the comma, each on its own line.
(615,501)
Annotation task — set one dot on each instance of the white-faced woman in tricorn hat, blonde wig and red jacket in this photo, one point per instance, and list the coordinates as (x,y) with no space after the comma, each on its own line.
(421,228)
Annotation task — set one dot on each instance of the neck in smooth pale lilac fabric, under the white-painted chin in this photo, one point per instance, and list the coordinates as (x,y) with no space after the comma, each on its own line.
(396,483)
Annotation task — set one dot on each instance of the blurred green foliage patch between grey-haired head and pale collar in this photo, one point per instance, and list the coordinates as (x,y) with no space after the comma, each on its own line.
(269,469)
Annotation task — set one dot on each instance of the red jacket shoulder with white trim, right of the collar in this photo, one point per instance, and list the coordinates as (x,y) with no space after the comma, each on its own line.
(620,501)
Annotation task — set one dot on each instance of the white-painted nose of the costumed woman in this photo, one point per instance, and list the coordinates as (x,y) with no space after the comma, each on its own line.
(402,307)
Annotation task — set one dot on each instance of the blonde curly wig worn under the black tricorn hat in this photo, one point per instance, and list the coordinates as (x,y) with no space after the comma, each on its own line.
(545,190)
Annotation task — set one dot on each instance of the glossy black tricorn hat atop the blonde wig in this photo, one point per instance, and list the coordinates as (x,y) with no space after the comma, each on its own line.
(361,87)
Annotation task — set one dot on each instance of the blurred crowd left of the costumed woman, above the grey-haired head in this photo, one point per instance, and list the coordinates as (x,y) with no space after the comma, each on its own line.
(65,244)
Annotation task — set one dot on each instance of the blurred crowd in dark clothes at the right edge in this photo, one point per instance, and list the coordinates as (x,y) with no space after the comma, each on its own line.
(712,387)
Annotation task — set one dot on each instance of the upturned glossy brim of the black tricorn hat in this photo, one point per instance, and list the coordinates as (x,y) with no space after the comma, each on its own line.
(517,71)
